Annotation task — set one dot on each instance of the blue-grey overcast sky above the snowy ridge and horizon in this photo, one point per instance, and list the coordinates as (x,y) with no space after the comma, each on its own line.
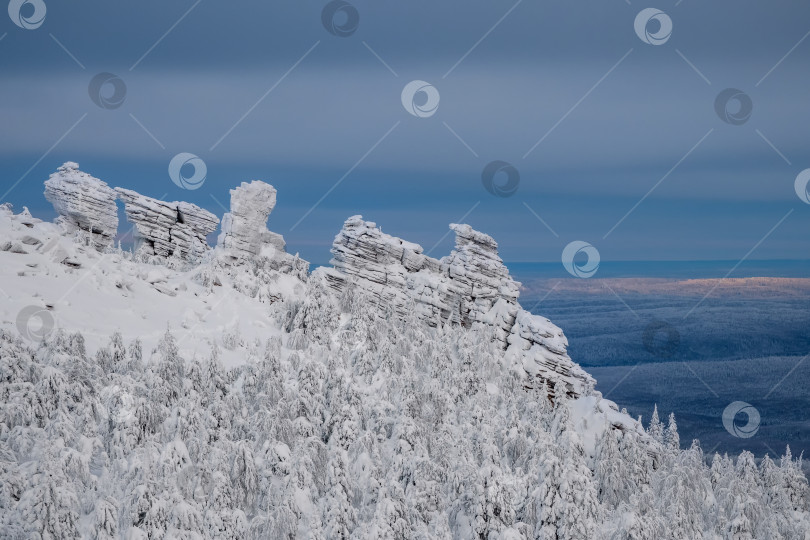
(265,91)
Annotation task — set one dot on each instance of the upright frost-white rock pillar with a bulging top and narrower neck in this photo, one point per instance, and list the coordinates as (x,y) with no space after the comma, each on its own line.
(245,236)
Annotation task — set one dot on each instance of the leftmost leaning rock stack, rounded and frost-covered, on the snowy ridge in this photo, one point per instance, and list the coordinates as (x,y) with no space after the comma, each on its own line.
(83,203)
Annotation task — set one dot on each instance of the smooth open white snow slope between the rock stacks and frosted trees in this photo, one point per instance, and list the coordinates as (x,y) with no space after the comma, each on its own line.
(98,294)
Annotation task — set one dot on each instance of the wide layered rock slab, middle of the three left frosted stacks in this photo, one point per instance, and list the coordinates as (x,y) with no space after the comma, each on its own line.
(167,229)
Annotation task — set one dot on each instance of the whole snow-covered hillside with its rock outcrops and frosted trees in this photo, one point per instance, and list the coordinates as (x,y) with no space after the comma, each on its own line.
(184,391)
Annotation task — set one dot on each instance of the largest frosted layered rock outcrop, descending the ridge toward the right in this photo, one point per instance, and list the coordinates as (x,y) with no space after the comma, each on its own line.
(470,287)
